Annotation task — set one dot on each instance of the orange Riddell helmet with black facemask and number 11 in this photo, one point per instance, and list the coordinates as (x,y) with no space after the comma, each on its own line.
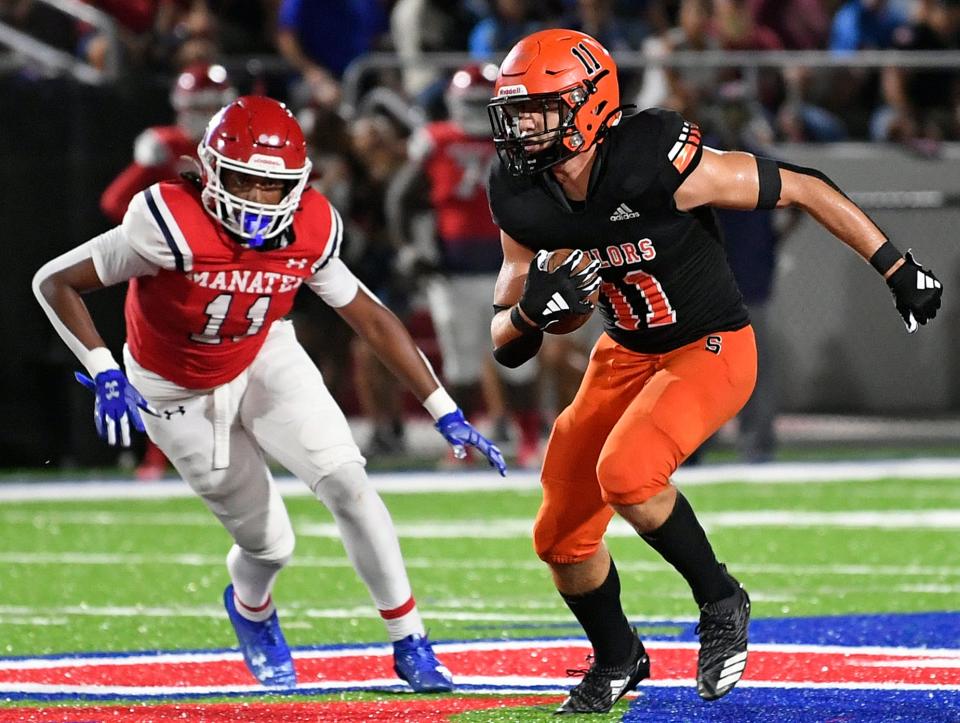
(557,73)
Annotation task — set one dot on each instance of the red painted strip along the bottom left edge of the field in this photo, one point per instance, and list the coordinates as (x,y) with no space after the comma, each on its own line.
(420,709)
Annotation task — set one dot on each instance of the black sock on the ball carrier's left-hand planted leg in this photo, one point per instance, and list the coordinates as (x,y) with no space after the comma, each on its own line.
(601,616)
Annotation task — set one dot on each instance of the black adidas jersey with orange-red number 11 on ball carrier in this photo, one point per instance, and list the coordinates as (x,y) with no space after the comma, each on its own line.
(666,280)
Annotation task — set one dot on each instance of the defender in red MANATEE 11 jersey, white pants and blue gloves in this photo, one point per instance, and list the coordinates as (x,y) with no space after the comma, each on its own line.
(213,267)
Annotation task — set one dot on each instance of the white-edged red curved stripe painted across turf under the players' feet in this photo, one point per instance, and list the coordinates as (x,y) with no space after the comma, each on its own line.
(485,665)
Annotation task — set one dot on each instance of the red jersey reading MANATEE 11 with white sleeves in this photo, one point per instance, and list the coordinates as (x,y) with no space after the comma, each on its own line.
(201,320)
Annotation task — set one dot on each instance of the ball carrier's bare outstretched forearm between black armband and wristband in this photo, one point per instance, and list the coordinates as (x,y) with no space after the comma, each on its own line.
(834,211)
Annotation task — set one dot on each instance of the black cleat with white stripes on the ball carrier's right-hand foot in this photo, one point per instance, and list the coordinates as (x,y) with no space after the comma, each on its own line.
(723,643)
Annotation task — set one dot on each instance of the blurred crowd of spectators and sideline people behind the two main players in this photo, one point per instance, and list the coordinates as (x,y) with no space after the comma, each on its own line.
(386,158)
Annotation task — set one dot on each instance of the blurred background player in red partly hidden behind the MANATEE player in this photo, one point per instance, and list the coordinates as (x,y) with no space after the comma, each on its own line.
(158,155)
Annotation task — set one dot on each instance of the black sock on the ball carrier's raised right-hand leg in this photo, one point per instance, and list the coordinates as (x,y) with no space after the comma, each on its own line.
(682,542)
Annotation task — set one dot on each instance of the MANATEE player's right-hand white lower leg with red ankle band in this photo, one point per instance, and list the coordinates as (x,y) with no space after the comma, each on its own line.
(371,543)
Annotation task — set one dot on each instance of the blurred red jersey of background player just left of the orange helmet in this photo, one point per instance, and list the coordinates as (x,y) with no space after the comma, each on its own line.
(457,166)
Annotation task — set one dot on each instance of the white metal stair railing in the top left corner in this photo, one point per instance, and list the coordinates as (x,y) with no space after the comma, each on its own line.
(54,61)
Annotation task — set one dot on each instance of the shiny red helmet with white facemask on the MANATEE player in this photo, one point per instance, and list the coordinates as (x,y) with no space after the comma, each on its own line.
(257,136)
